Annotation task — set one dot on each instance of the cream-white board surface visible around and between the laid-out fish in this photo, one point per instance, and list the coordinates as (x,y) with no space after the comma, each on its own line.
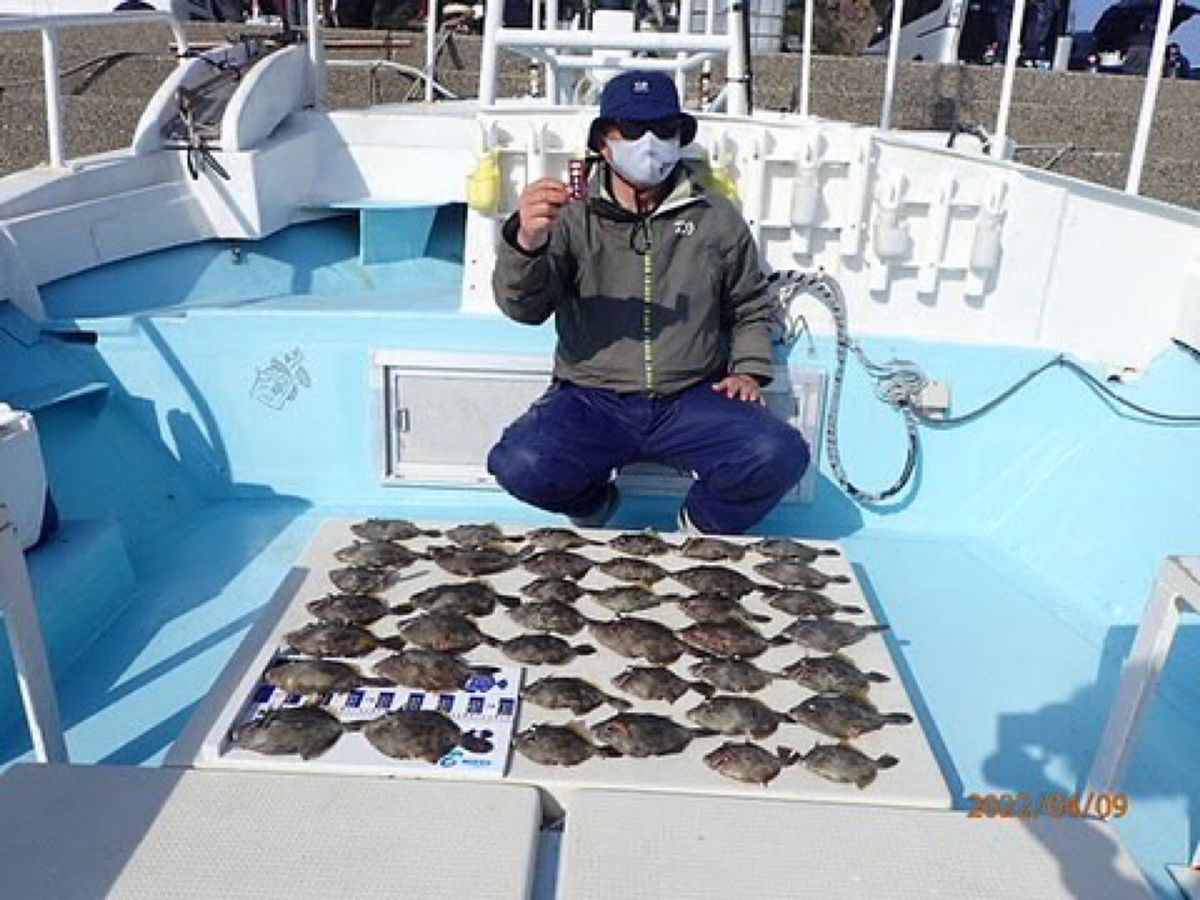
(916,782)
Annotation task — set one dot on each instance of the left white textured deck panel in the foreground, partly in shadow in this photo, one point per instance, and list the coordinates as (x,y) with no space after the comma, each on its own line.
(147,835)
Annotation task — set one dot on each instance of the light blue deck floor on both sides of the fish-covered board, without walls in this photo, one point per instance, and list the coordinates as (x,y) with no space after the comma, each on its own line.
(1018,717)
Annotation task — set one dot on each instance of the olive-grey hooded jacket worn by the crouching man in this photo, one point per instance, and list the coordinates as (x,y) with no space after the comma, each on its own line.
(644,304)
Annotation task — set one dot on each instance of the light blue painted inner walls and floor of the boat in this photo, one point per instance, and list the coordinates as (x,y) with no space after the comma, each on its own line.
(1013,577)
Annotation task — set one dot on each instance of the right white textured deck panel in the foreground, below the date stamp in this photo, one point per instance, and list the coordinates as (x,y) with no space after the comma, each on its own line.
(667,847)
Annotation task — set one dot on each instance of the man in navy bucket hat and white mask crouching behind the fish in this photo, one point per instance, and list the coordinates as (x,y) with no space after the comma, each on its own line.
(663,326)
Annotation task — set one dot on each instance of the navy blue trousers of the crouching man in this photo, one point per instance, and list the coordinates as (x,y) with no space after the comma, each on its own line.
(562,453)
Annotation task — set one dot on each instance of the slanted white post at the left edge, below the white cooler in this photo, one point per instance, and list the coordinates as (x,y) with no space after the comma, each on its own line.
(33,667)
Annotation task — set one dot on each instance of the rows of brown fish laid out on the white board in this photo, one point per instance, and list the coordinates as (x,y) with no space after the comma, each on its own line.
(429,651)
